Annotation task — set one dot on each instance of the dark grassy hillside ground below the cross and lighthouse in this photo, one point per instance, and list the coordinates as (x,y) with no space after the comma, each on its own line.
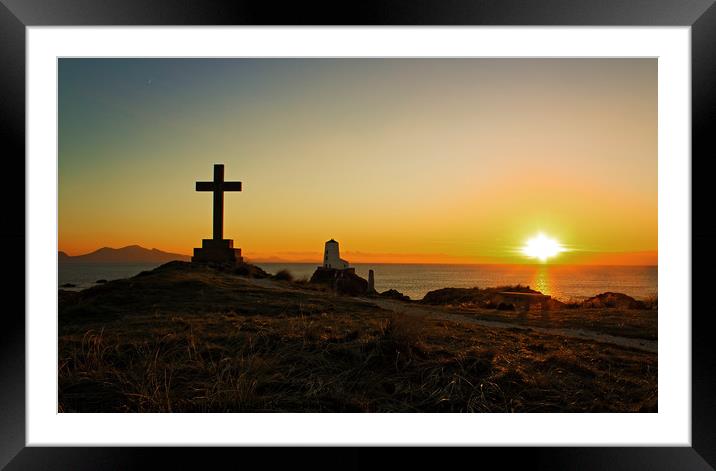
(187,339)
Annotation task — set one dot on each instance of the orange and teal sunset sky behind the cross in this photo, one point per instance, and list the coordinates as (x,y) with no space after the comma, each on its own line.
(400,160)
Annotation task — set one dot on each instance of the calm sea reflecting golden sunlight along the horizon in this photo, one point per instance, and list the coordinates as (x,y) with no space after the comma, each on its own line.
(564,282)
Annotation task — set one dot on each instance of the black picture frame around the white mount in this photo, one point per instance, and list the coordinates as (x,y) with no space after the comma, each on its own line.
(16,15)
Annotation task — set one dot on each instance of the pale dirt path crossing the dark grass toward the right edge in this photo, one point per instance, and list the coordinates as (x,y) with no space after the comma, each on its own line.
(409,309)
